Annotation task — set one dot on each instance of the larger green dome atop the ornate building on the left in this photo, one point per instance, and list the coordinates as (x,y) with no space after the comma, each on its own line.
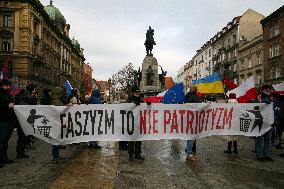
(56,16)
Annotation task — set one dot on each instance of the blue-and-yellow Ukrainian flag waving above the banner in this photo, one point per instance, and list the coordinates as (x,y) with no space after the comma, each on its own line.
(209,84)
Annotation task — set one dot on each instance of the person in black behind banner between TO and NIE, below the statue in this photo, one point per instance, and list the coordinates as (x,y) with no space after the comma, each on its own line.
(134,147)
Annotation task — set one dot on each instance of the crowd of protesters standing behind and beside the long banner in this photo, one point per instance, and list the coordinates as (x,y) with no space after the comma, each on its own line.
(29,96)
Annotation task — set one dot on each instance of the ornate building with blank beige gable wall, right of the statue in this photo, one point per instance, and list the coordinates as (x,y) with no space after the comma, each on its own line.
(225,44)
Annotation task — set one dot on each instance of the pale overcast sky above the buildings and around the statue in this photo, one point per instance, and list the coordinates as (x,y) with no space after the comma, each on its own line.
(112,32)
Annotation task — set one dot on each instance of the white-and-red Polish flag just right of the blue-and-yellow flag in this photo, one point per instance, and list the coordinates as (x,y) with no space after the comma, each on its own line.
(245,92)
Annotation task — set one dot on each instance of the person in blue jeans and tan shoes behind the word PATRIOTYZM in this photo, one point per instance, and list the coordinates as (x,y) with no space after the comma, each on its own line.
(191,97)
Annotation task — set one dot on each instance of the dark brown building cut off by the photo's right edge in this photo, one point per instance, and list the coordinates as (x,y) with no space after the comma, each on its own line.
(273,46)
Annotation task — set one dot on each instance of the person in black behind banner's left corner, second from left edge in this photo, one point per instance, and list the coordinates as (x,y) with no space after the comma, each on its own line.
(21,99)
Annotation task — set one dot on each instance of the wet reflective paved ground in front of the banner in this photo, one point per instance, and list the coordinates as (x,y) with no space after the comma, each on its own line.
(164,167)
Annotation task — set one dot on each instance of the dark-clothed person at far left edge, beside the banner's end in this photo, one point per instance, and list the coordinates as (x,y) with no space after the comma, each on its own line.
(6,120)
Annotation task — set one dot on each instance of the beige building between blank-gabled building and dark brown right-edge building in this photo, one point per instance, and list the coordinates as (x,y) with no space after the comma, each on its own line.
(250,60)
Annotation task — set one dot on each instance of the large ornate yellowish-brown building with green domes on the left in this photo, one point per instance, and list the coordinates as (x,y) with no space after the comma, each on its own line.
(36,46)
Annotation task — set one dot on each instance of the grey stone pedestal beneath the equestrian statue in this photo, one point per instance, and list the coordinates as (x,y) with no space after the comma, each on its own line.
(156,85)
